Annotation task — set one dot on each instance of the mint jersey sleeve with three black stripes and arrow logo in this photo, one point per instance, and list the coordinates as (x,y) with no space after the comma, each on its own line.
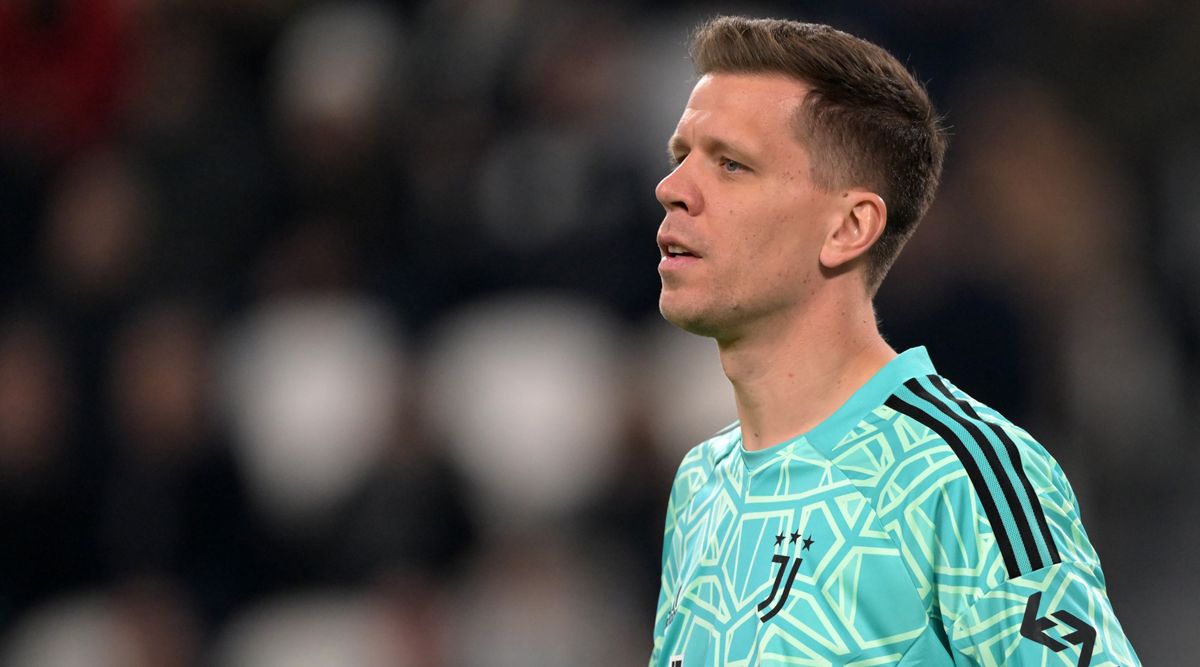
(1015,578)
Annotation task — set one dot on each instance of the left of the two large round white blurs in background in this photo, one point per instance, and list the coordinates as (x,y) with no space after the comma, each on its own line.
(310,384)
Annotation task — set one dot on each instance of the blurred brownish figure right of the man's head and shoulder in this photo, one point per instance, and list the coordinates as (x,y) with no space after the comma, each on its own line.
(1057,211)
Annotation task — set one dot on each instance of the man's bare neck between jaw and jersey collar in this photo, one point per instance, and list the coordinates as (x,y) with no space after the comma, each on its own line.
(791,374)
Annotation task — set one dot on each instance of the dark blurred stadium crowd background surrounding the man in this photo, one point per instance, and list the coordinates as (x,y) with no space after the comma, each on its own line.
(329,331)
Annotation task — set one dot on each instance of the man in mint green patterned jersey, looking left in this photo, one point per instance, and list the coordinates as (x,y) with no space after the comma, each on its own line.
(863,510)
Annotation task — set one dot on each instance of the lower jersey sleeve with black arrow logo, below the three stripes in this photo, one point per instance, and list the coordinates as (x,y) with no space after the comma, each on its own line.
(1055,616)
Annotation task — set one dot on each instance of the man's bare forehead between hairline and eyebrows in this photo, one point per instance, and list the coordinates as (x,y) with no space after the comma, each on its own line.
(754,107)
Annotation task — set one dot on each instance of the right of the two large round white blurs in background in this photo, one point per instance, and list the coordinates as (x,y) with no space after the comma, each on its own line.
(520,381)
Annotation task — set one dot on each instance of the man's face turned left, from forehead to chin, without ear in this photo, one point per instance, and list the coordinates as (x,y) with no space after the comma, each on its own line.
(745,224)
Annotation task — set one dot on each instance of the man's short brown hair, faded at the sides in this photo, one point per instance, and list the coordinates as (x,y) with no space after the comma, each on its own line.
(866,121)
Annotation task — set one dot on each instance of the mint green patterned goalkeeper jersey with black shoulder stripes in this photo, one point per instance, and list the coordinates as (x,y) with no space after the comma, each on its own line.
(913,527)
